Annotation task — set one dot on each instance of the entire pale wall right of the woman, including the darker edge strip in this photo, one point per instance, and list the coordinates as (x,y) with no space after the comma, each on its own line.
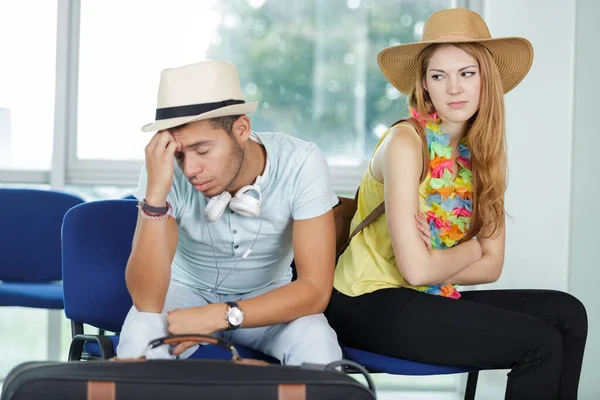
(551,133)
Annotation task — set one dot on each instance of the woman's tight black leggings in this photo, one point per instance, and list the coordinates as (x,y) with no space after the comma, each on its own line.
(539,334)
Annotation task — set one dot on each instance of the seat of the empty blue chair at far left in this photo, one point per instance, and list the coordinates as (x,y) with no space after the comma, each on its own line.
(35,295)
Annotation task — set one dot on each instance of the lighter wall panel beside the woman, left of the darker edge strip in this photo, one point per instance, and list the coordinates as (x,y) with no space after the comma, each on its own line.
(539,136)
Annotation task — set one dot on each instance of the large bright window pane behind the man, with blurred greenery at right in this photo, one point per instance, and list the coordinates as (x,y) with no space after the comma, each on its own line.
(311,64)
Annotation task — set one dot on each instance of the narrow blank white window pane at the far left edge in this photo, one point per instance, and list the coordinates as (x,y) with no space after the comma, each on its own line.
(27,83)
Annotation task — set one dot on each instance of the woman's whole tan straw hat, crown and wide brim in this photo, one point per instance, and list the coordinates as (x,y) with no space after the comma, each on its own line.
(513,55)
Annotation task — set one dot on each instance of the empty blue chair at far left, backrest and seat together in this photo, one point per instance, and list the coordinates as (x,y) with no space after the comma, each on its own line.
(30,256)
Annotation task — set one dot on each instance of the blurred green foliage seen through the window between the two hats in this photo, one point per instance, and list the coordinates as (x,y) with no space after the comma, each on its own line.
(313,66)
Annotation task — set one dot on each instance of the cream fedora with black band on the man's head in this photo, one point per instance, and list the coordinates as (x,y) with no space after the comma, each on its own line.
(195,92)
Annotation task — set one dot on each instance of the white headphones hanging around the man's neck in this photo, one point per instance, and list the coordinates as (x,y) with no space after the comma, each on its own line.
(242,203)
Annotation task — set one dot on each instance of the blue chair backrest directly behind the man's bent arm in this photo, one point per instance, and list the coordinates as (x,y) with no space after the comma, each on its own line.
(96,245)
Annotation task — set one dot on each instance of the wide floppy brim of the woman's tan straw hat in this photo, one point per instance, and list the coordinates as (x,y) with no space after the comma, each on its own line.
(513,56)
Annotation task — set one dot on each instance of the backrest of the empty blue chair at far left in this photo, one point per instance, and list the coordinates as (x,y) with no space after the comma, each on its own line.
(30,233)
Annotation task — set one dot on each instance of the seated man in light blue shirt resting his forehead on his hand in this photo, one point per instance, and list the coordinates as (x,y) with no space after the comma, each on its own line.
(223,212)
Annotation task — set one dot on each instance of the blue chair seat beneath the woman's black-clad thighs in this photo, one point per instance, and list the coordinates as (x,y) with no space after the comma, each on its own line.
(390,365)
